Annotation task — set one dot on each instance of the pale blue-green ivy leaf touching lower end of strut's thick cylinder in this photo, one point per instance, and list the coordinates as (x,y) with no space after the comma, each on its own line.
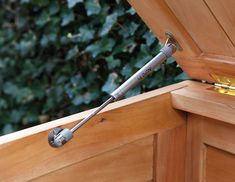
(111,83)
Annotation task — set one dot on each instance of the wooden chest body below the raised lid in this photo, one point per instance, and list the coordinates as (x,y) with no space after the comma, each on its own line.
(138,139)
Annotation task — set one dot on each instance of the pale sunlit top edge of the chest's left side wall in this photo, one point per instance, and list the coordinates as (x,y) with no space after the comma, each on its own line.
(72,119)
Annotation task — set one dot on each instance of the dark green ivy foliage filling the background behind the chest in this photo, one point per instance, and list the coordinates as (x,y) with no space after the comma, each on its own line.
(61,57)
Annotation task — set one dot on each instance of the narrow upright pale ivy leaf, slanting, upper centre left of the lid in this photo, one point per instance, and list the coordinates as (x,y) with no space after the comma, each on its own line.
(109,22)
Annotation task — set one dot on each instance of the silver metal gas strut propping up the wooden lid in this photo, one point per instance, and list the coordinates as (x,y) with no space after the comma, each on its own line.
(58,136)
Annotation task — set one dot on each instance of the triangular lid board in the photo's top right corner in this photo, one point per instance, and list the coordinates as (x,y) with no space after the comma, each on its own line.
(224,12)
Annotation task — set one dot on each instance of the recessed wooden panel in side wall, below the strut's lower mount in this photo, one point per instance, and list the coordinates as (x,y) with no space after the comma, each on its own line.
(131,162)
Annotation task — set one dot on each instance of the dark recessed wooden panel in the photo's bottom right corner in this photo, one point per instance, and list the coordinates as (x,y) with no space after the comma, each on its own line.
(220,166)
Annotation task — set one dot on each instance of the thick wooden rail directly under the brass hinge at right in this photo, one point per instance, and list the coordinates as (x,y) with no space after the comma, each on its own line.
(200,100)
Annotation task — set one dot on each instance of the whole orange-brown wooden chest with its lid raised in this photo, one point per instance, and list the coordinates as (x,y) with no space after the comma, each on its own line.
(181,133)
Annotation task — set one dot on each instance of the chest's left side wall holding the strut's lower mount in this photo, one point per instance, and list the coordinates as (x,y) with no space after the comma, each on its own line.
(147,121)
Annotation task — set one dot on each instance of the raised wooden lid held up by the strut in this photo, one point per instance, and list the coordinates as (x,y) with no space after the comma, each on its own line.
(205,30)
